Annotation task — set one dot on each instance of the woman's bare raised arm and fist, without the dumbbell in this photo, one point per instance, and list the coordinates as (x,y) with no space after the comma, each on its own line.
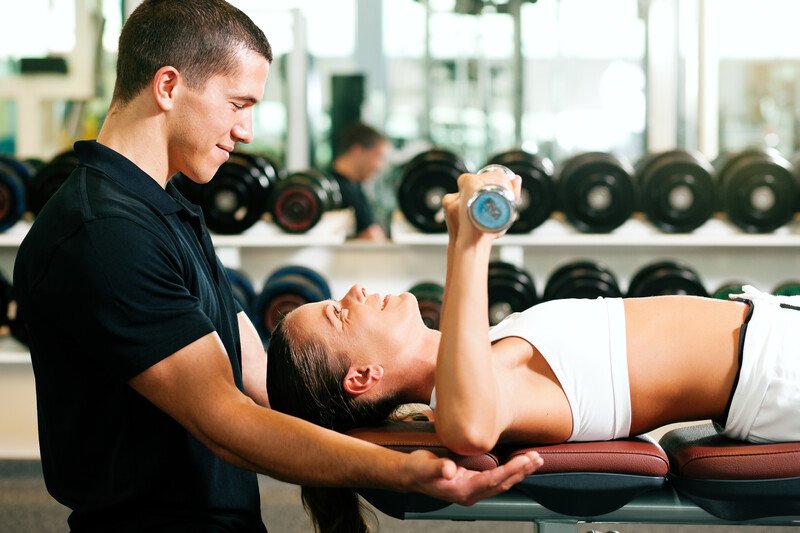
(468,418)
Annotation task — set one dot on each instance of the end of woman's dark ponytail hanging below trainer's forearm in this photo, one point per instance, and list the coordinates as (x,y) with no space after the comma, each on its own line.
(334,510)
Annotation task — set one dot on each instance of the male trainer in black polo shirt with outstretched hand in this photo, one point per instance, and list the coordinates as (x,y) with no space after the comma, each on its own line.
(150,379)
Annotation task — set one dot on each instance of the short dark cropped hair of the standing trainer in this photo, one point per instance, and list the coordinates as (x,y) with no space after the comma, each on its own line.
(198,37)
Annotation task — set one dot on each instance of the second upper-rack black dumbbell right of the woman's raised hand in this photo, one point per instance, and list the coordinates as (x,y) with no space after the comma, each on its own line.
(597,192)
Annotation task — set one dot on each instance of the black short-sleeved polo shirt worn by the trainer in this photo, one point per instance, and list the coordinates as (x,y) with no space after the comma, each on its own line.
(115,275)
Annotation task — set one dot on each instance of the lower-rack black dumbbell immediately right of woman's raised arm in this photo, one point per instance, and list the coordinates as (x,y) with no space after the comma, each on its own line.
(510,289)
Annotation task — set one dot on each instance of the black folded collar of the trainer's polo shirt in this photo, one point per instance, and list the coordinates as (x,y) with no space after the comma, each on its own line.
(123,171)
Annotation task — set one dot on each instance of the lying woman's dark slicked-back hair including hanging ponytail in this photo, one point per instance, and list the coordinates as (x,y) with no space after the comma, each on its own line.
(305,381)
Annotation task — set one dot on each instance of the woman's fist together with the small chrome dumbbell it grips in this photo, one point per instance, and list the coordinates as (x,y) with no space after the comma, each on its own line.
(487,199)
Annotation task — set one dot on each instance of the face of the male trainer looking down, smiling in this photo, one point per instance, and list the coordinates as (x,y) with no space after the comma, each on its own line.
(210,120)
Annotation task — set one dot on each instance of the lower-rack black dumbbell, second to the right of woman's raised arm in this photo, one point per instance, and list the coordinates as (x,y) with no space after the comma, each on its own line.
(581,279)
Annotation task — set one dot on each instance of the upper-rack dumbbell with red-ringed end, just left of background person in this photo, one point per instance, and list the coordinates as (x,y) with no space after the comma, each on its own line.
(300,200)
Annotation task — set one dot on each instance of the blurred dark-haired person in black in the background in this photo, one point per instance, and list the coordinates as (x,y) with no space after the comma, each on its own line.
(362,153)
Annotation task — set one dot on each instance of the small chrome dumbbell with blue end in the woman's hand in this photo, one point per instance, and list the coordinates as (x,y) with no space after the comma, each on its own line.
(492,208)
